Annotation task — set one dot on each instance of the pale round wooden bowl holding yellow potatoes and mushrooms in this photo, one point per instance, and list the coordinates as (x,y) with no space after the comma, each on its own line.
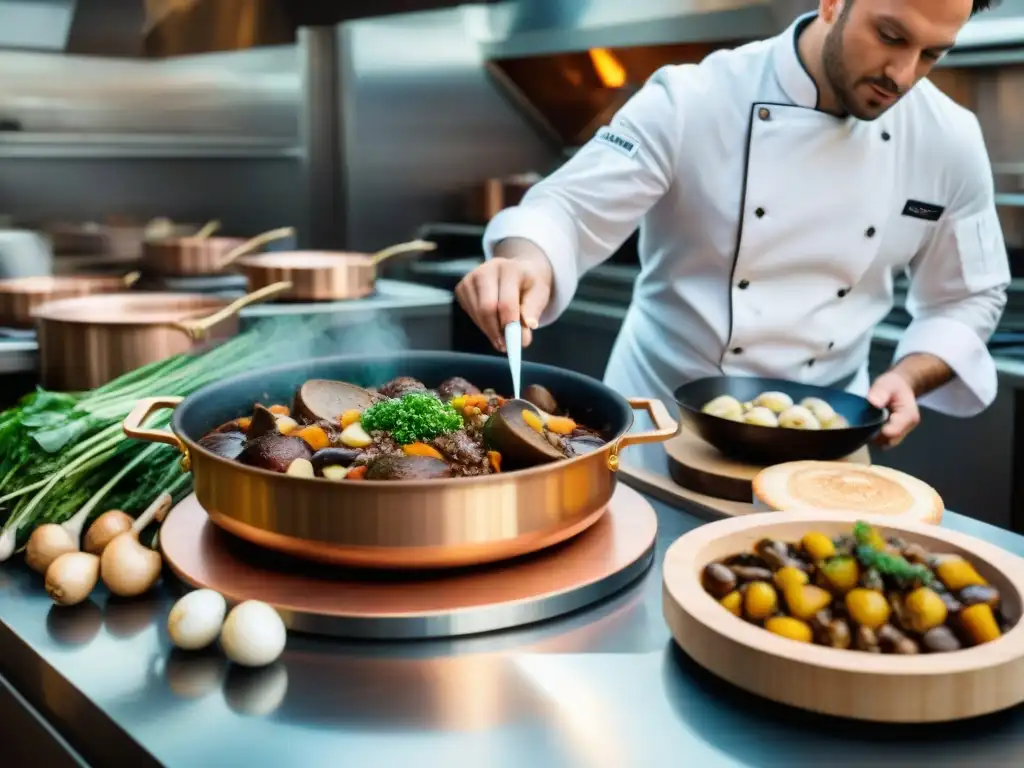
(932,688)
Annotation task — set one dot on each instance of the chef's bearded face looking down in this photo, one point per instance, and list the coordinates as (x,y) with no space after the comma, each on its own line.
(876,51)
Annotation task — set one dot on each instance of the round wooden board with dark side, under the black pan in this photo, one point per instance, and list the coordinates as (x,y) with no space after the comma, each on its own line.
(699,466)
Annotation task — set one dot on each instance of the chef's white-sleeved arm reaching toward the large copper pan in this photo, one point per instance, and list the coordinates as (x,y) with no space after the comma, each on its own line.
(583,212)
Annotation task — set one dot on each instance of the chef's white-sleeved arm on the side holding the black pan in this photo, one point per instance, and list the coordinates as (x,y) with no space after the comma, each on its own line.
(958,294)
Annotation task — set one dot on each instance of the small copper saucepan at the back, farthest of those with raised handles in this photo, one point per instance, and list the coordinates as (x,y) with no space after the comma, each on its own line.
(203,255)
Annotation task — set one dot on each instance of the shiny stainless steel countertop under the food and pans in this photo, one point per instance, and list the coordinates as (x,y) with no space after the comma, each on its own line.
(603,688)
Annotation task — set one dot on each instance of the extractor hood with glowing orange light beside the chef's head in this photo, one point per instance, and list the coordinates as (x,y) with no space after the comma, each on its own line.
(576,64)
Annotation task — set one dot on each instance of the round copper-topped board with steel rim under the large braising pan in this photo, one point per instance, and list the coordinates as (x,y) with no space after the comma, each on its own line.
(323,600)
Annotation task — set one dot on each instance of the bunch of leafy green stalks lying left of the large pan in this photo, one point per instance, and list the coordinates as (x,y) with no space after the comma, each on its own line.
(66,458)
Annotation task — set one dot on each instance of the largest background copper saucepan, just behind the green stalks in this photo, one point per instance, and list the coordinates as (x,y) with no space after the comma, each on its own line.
(88,342)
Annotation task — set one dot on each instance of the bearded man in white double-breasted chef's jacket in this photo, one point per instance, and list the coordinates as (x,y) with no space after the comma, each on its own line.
(780,189)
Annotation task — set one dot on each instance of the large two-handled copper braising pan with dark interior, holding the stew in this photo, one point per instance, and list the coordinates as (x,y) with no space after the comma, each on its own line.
(403,524)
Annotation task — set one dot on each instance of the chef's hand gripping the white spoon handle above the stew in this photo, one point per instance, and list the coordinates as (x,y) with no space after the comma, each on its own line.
(516,285)
